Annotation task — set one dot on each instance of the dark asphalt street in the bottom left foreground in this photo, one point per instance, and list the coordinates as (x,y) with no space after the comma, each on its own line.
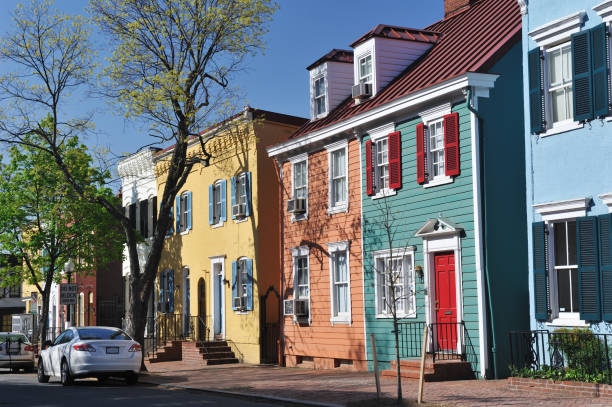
(24,390)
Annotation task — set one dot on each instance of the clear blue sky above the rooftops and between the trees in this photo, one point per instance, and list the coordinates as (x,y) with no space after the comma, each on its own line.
(301,32)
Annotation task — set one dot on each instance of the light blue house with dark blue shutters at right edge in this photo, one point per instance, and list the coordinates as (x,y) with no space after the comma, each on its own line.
(568,145)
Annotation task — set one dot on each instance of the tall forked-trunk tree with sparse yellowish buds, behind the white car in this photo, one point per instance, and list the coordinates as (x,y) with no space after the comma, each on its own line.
(172,65)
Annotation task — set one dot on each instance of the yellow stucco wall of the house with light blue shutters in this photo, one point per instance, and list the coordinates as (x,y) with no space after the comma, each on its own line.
(256,237)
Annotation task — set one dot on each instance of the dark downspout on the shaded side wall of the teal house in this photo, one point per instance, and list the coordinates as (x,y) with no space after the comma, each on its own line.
(483,229)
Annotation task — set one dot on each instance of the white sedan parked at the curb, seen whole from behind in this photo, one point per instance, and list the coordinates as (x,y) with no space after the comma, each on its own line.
(91,351)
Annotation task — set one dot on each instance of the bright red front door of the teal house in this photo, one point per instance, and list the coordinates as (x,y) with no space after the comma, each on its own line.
(446,304)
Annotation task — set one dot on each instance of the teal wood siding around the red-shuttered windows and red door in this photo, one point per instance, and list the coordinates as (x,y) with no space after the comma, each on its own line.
(410,208)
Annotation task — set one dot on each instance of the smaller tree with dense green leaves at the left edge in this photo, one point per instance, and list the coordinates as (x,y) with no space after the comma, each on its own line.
(44,222)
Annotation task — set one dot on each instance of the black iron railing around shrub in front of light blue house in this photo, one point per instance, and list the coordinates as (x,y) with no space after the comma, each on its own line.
(578,354)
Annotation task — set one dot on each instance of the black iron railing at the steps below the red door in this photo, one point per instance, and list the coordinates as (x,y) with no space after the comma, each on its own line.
(446,341)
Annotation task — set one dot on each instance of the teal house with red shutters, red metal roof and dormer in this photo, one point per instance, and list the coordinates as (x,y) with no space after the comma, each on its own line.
(439,117)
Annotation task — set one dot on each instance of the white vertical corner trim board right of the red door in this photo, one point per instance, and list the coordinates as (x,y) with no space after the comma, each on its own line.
(478,247)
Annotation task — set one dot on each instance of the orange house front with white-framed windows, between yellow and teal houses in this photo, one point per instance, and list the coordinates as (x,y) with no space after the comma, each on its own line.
(322,278)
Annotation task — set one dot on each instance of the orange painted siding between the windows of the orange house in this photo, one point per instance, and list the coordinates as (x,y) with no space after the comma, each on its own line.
(321,340)
